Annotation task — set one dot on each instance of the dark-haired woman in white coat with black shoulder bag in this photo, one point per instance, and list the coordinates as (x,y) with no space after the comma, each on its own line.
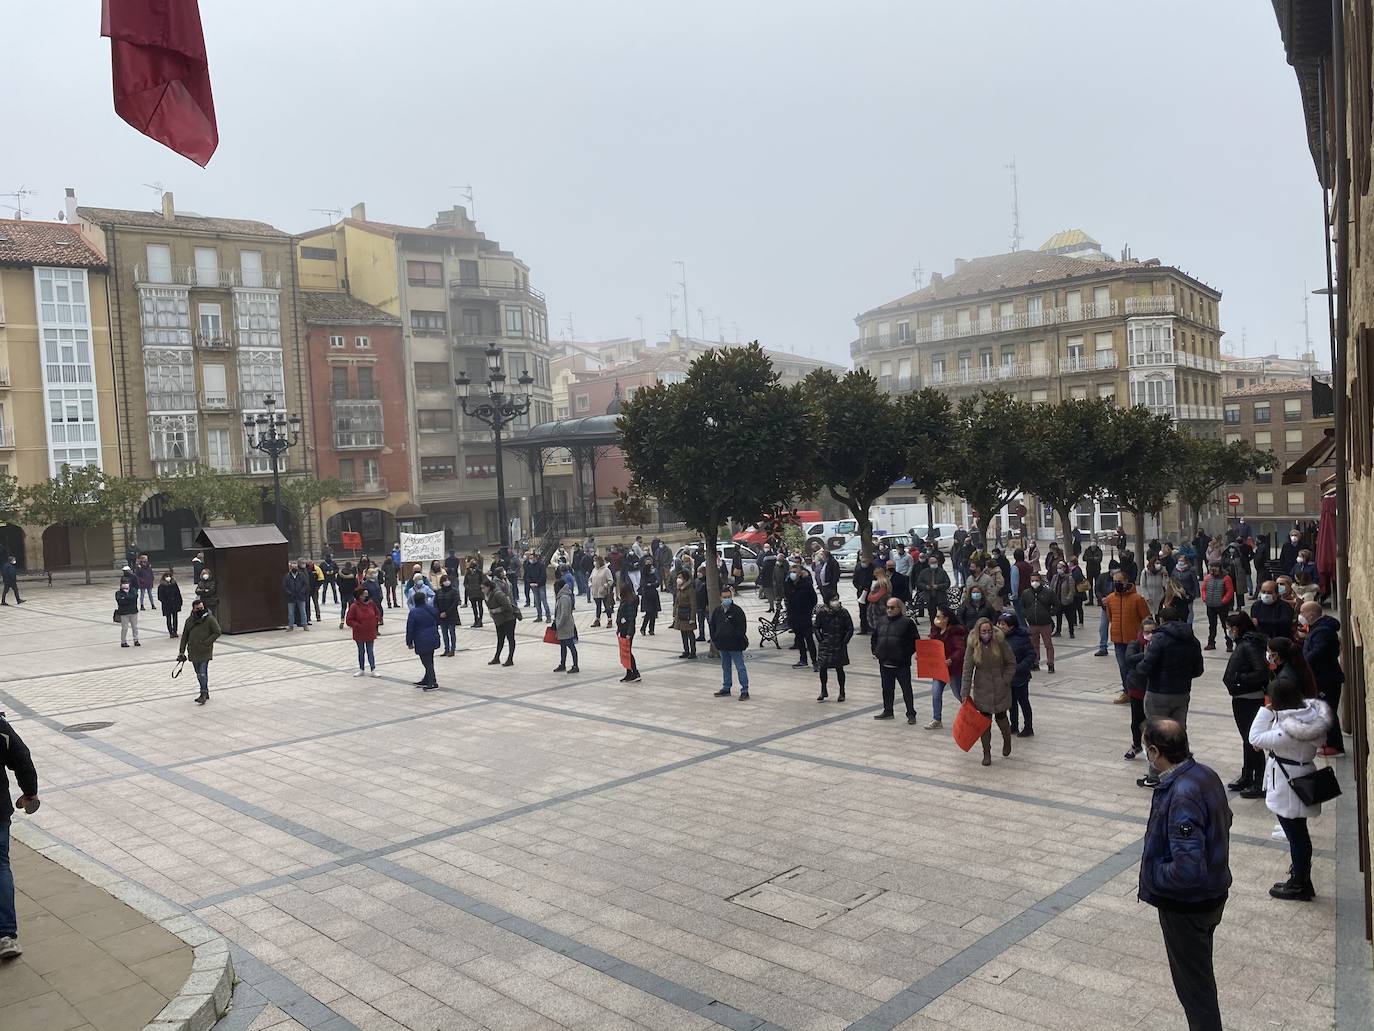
(1291,729)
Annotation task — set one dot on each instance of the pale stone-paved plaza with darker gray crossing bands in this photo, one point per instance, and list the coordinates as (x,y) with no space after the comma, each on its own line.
(535,850)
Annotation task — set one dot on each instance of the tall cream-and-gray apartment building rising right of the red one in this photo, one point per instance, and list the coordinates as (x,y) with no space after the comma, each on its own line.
(455,293)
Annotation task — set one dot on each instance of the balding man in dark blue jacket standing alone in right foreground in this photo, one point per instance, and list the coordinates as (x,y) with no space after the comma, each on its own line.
(1185,869)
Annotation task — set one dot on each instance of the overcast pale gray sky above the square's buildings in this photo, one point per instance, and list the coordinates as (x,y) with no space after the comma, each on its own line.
(800,157)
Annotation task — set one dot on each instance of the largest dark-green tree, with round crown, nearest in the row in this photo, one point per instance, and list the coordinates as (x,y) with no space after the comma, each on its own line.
(726,443)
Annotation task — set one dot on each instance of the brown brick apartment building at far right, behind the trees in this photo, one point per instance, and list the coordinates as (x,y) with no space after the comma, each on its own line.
(1277,416)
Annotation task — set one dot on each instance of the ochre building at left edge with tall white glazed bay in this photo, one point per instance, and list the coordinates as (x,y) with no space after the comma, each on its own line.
(57,377)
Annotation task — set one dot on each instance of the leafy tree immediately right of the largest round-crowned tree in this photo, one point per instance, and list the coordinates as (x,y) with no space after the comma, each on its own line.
(859,434)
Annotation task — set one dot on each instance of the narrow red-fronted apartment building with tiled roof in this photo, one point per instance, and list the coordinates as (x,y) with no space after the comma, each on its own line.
(357,364)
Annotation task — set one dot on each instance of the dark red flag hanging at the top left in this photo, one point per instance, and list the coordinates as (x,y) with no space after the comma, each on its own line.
(161,75)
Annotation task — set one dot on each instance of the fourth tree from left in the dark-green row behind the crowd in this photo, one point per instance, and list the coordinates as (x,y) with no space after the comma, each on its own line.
(990,432)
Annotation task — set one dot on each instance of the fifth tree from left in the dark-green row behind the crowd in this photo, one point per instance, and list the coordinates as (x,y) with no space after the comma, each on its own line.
(1070,456)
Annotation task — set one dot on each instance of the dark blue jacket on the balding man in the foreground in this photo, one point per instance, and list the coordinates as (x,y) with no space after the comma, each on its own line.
(1188,843)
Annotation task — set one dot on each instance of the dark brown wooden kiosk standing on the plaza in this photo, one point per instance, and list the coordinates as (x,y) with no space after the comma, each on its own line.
(248,564)
